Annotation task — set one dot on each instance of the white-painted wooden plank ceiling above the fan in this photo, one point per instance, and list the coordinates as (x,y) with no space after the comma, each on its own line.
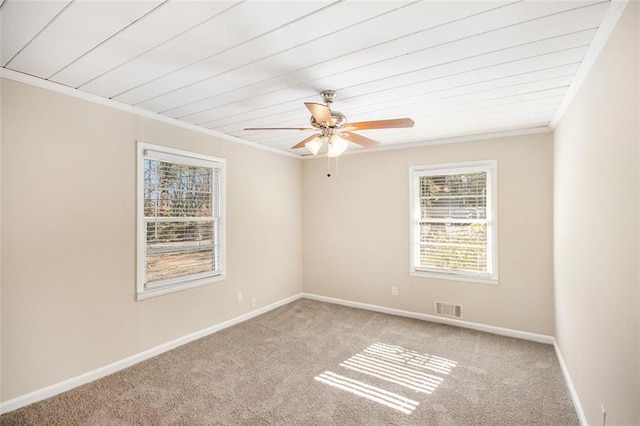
(456,68)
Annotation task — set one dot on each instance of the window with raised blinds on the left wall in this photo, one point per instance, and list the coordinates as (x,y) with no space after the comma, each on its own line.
(180,220)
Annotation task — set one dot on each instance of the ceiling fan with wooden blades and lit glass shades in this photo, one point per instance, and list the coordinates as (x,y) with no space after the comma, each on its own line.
(332,127)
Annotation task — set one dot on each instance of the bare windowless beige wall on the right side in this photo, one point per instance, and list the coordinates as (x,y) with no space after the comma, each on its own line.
(596,224)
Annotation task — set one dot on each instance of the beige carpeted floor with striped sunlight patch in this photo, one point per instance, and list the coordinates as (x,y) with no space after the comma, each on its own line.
(313,363)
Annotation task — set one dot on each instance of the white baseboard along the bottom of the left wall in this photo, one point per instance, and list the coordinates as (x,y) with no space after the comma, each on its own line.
(58,388)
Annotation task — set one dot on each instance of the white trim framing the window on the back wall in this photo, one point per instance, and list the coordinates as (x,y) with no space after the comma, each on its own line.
(491,166)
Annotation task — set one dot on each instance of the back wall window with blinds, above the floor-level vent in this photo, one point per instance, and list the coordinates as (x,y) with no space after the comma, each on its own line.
(453,221)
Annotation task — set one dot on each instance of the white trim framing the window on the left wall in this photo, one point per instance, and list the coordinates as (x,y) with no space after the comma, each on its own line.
(183,283)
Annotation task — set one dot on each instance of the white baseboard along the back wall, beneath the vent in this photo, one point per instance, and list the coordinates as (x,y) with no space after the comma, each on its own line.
(540,338)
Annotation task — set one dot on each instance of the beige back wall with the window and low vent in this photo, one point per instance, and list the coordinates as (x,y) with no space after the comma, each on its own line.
(356,232)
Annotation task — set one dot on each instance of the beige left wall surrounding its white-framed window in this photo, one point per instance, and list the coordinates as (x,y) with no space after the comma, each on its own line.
(68,241)
